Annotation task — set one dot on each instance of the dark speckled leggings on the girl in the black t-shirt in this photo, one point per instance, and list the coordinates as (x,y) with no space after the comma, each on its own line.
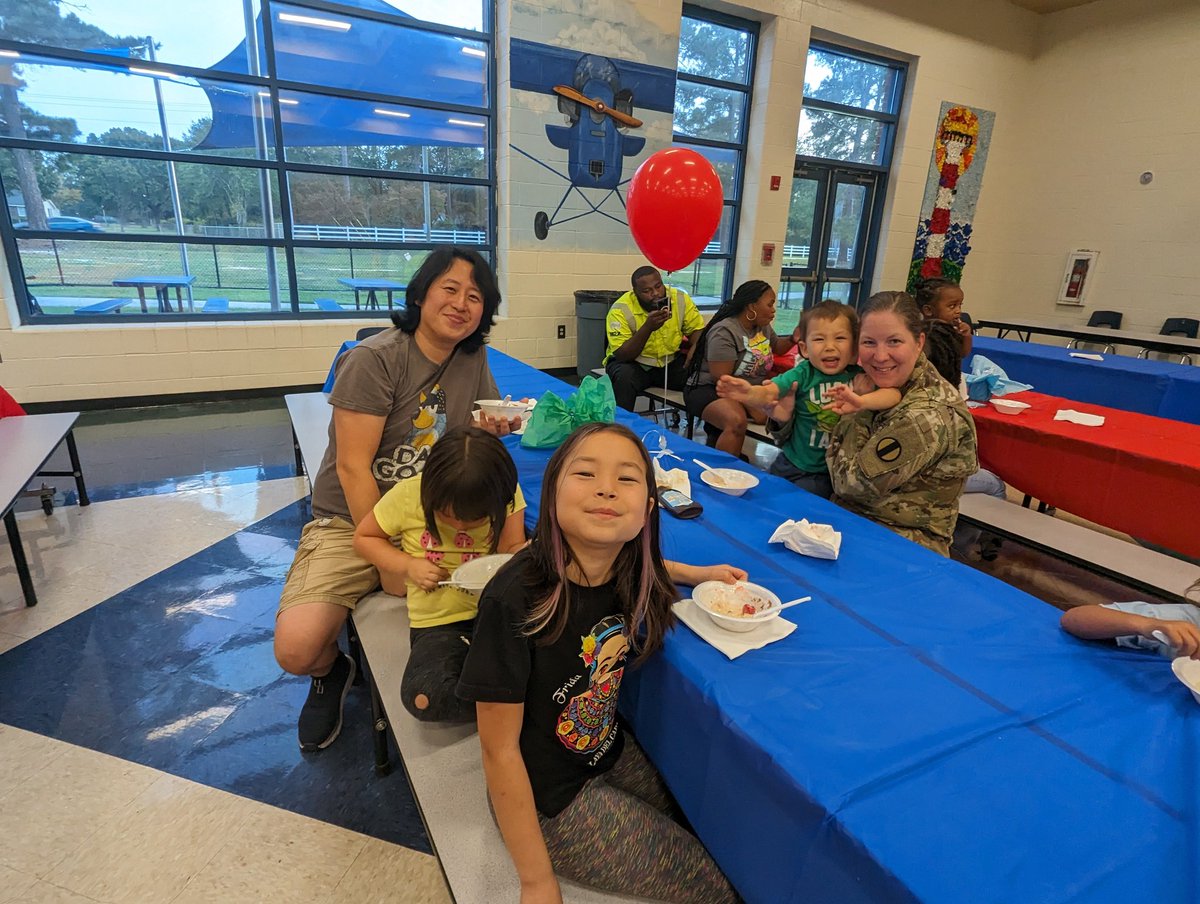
(619,835)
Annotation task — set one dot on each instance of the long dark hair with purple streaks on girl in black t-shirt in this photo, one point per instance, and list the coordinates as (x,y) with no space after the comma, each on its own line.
(645,591)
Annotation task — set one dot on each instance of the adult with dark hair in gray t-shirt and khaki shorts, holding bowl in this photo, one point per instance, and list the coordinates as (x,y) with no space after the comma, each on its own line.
(394,396)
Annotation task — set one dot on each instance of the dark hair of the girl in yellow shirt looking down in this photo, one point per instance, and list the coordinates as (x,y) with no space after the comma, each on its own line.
(472,475)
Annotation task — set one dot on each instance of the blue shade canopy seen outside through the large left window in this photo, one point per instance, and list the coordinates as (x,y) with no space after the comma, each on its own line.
(356,55)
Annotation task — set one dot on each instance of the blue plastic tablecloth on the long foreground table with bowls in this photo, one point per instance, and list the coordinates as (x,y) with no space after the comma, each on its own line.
(927,733)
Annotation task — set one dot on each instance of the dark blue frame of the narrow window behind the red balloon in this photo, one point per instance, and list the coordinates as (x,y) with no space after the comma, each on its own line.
(734,205)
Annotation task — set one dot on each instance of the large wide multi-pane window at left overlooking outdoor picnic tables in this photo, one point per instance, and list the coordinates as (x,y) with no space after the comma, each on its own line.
(239,158)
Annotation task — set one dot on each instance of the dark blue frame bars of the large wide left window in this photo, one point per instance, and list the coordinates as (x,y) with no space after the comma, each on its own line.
(279,167)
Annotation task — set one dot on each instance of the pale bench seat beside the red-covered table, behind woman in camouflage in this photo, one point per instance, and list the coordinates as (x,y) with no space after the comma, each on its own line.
(1095,552)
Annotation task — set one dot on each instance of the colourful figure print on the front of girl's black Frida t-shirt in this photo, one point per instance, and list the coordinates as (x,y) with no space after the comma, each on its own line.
(590,717)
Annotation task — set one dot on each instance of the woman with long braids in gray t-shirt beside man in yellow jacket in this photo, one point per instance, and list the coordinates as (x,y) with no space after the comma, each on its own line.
(737,342)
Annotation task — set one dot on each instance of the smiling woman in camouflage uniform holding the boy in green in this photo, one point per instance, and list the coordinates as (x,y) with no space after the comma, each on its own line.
(904,468)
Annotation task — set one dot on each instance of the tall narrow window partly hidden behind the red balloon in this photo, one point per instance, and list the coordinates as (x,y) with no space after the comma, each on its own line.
(713,89)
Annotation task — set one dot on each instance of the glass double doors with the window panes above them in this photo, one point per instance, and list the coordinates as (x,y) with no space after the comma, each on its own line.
(843,153)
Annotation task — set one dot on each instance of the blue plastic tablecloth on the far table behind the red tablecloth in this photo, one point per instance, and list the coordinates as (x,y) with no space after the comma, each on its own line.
(1160,388)
